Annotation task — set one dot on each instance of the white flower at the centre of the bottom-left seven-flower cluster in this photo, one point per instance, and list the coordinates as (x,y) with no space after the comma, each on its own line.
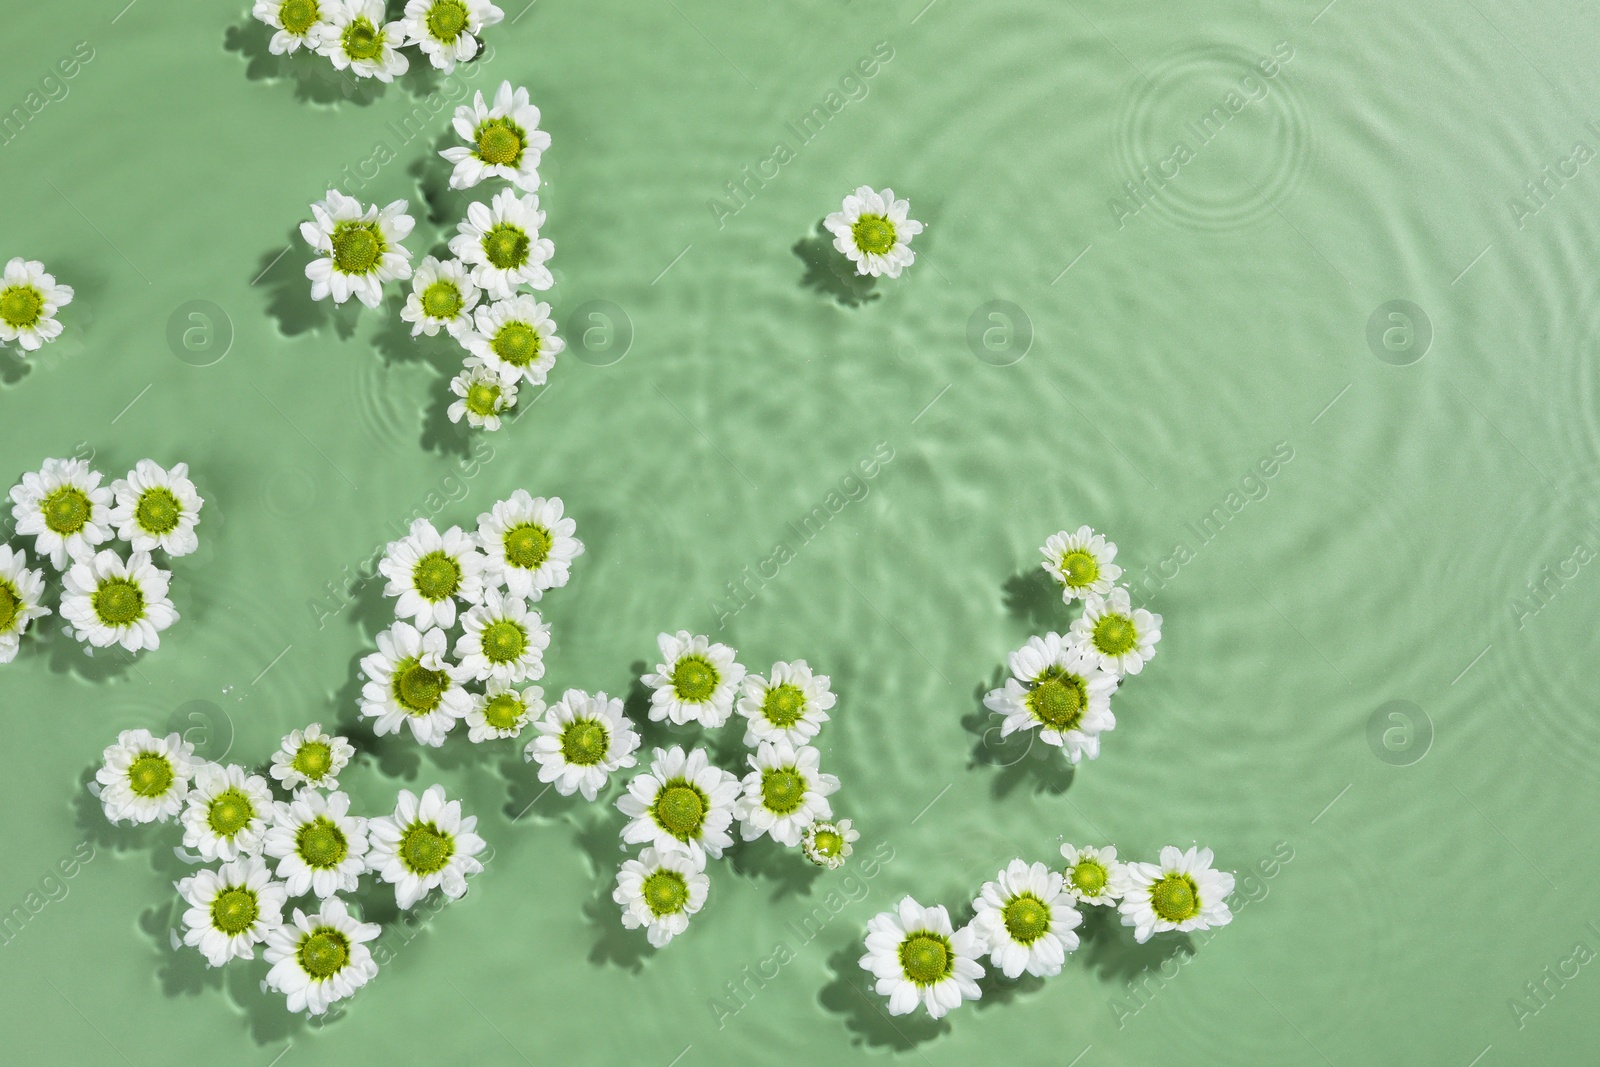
(319,845)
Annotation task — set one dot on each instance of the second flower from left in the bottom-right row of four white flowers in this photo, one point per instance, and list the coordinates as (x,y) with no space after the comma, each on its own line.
(1026,921)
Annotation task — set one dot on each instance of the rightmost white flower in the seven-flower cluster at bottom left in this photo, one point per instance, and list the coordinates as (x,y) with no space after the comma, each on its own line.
(426,844)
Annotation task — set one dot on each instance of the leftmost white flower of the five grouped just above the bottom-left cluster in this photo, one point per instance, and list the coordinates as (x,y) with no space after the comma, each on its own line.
(410,684)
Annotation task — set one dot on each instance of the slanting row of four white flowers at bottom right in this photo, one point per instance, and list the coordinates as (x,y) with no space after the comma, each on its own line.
(1026,922)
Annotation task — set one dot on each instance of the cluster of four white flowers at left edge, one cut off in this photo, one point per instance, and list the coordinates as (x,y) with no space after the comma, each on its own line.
(106,599)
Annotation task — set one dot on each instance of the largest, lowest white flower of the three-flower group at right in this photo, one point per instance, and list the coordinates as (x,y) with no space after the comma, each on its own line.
(1058,692)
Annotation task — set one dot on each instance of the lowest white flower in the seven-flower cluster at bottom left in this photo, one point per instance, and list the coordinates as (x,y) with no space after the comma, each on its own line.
(321,959)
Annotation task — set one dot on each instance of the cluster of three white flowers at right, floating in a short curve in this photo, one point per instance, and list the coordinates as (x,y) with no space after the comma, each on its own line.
(1062,685)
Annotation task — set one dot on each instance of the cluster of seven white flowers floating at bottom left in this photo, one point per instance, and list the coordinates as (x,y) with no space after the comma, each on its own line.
(268,852)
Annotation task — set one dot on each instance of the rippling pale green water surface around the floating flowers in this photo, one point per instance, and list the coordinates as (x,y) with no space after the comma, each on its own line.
(1145,366)
